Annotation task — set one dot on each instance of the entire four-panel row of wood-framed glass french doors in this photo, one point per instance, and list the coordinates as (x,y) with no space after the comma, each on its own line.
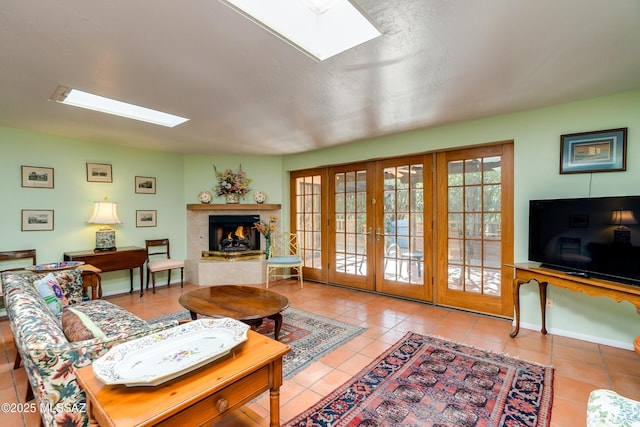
(377,225)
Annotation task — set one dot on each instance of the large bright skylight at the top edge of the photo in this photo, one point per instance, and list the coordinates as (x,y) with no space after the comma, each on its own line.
(319,28)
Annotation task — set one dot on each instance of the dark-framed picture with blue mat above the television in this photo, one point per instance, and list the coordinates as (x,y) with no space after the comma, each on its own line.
(600,151)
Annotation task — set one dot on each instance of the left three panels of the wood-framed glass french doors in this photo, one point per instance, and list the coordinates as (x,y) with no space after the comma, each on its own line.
(375,225)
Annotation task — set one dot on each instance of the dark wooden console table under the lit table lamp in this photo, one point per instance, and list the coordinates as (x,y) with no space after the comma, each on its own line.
(125,258)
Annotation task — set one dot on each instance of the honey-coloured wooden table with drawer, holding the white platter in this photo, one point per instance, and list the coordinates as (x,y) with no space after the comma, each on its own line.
(201,397)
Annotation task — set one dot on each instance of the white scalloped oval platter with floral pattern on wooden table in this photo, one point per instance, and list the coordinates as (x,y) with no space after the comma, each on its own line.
(163,356)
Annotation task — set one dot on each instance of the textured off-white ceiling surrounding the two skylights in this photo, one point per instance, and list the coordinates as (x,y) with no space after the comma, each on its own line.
(247,92)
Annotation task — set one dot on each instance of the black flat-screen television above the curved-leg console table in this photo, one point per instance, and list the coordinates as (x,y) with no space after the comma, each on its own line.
(590,237)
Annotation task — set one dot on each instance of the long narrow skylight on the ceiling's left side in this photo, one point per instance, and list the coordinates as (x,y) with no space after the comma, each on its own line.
(90,101)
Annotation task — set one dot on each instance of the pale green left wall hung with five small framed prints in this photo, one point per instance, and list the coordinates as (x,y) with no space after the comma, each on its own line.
(72,197)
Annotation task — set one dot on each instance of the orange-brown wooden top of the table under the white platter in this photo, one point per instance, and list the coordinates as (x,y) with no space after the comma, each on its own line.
(120,405)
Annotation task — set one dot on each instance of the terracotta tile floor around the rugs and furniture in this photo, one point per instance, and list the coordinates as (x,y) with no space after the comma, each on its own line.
(580,366)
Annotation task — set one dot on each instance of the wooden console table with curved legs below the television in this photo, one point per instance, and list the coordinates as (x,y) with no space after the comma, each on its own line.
(526,272)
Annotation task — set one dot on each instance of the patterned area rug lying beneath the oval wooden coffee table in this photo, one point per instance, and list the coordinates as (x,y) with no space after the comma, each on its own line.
(309,335)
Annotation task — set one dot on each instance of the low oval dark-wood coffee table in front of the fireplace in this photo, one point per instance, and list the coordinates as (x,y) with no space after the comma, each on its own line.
(245,303)
